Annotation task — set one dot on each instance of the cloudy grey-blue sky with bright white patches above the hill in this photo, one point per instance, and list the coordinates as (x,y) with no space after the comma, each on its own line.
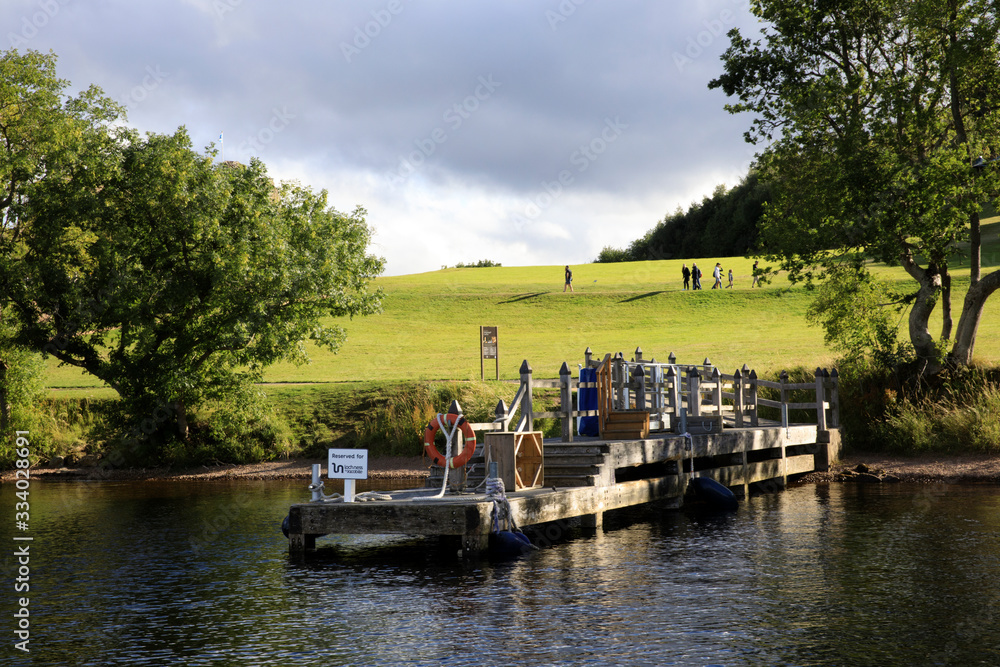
(524,132)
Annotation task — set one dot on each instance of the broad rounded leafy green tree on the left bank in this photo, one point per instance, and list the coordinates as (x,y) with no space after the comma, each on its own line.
(173,279)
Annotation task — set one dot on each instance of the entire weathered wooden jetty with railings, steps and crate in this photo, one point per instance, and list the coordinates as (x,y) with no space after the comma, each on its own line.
(659,424)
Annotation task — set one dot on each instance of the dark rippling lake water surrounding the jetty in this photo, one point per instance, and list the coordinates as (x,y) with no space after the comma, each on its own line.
(199,574)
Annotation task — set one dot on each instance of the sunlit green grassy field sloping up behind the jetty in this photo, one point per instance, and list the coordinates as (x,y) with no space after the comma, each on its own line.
(430,325)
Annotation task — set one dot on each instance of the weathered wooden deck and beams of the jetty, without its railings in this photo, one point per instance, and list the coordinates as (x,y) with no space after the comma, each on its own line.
(609,475)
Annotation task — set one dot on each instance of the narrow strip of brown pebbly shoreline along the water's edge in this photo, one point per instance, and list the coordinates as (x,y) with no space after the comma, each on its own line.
(924,469)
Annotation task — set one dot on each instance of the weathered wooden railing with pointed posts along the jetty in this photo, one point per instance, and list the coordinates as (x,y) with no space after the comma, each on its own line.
(669,392)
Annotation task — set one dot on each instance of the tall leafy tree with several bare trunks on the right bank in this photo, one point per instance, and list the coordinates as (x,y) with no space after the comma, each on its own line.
(876,115)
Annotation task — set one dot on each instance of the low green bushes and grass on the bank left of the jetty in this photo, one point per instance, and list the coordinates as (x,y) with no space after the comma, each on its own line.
(388,419)
